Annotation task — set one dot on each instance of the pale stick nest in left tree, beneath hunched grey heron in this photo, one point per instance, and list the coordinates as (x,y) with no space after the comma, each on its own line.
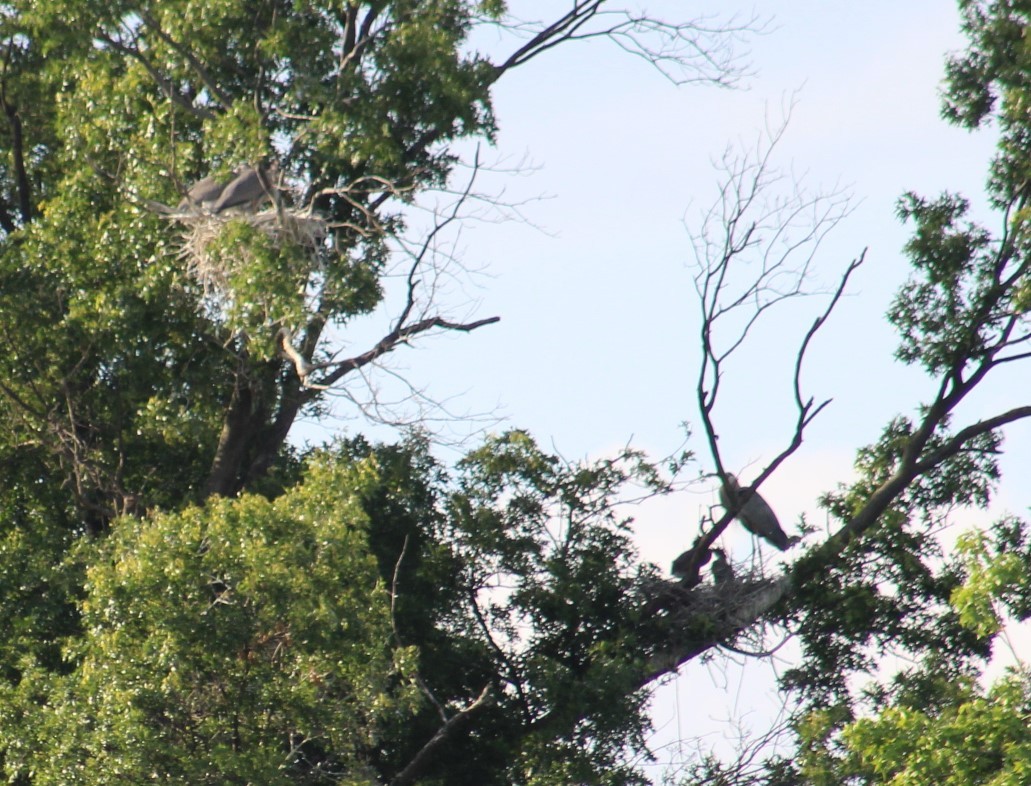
(207,260)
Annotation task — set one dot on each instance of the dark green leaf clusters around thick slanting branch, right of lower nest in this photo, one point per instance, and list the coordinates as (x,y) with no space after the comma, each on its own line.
(893,587)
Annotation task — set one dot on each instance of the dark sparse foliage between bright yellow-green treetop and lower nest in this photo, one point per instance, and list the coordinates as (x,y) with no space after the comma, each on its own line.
(537,588)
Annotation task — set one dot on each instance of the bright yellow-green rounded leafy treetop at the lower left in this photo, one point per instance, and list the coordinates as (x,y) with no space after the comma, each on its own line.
(247,641)
